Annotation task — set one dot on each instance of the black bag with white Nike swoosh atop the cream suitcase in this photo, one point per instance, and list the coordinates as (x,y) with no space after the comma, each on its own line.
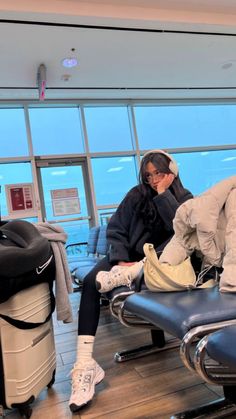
(26,258)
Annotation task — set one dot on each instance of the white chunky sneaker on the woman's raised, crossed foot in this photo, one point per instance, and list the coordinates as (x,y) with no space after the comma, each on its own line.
(117,276)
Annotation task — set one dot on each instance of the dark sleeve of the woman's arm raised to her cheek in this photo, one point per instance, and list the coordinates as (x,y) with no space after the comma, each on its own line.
(167,205)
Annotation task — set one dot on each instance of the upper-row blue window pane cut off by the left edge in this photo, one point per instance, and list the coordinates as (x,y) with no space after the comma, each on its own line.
(13,137)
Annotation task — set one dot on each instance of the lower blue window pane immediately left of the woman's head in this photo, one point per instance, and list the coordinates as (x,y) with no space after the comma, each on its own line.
(113,177)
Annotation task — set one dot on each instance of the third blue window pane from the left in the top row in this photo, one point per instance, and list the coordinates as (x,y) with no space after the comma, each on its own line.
(108,129)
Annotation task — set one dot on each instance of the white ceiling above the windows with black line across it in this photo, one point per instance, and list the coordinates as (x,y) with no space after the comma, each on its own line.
(132,49)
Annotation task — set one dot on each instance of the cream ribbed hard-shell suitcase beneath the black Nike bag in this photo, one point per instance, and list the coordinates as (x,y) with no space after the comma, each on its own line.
(28,356)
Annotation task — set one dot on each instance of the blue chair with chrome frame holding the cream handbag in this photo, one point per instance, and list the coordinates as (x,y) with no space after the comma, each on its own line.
(186,316)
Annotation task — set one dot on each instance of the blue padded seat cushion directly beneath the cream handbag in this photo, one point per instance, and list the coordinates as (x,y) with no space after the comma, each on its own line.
(179,312)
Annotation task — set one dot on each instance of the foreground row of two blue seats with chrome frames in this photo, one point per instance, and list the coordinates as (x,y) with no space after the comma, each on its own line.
(203,324)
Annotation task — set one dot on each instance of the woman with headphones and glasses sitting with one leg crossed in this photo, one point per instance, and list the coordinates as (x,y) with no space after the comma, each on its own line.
(145,215)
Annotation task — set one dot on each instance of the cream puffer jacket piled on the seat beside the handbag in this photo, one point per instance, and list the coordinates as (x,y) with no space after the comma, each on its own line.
(208,223)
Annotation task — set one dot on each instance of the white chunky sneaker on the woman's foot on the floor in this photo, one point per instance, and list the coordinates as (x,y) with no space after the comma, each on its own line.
(84,378)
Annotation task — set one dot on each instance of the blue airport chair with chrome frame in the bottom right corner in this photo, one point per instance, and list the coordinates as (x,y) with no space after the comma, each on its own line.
(215,362)
